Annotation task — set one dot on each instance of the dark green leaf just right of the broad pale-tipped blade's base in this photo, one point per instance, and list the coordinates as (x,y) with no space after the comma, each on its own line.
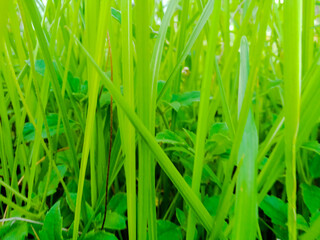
(275,209)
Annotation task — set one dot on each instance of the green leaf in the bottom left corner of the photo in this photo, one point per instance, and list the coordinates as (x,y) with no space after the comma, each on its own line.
(14,231)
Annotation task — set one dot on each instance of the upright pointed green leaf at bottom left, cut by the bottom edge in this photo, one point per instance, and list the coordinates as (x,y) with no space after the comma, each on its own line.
(52,226)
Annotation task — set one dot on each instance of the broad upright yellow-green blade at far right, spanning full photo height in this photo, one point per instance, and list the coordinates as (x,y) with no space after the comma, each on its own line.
(292,83)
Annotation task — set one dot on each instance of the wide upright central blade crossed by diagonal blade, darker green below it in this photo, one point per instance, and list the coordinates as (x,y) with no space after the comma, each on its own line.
(146,182)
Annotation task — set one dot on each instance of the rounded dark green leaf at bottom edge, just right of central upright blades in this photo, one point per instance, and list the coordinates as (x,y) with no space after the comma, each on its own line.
(168,231)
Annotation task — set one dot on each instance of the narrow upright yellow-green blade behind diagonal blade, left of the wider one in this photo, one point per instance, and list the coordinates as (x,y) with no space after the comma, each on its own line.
(128,137)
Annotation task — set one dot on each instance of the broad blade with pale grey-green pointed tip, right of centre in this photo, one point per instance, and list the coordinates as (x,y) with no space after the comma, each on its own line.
(246,190)
